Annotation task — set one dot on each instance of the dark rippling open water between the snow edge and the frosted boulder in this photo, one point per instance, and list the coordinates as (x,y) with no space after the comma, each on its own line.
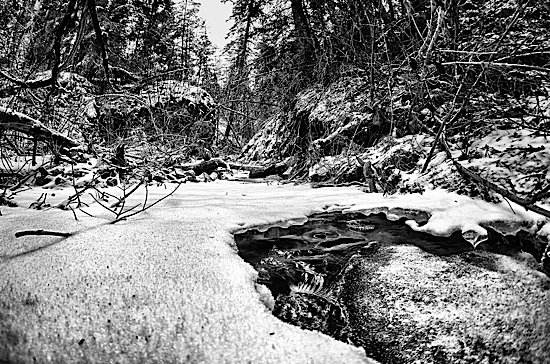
(304,265)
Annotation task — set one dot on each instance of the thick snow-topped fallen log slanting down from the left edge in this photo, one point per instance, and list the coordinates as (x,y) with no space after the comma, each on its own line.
(13,120)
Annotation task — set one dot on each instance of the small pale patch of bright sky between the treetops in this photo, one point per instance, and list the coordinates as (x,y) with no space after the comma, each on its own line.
(216,15)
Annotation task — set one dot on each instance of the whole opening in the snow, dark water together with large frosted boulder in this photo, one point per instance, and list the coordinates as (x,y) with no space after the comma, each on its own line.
(404,296)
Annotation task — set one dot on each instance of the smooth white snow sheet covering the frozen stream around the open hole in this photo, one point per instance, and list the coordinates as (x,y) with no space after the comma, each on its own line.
(167,285)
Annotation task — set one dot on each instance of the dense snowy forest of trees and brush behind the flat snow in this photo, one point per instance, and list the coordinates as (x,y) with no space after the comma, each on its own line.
(301,81)
